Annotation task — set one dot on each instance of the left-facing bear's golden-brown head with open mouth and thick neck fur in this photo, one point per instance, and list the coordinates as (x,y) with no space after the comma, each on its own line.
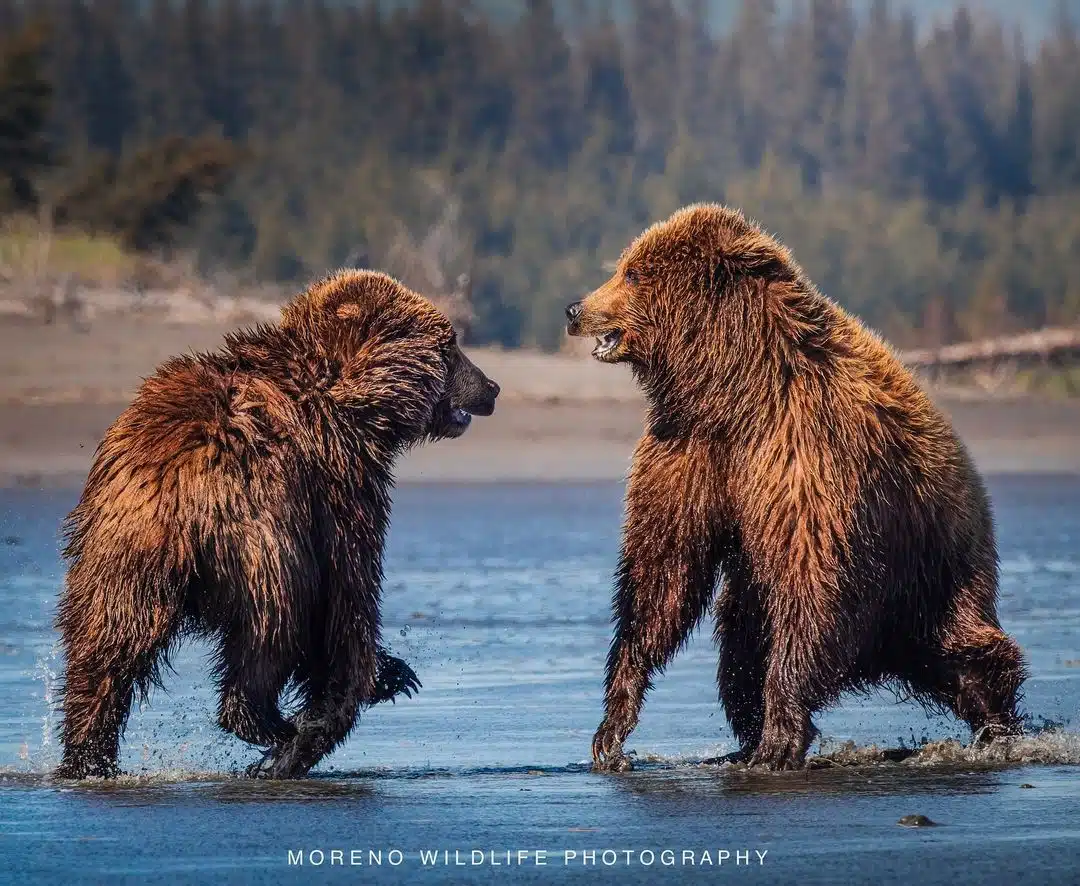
(698,301)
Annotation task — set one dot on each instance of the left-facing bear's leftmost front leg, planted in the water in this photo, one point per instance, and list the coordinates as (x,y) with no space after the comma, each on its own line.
(665,582)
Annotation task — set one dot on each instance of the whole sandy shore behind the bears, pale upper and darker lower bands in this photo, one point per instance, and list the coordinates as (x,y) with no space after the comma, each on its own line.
(560,419)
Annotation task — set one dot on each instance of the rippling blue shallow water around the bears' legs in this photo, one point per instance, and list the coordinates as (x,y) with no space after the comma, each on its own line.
(498,596)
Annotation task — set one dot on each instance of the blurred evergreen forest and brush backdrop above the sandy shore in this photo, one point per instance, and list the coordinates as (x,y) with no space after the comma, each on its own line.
(924,168)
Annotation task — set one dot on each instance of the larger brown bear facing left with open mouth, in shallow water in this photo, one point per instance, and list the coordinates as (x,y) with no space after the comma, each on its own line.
(789,453)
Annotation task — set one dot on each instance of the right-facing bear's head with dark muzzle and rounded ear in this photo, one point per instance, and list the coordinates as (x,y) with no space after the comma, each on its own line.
(398,353)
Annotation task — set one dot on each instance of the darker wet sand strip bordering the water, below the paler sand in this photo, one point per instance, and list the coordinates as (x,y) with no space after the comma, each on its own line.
(530,441)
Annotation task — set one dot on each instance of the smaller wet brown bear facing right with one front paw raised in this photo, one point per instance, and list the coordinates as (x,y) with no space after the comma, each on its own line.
(245,496)
